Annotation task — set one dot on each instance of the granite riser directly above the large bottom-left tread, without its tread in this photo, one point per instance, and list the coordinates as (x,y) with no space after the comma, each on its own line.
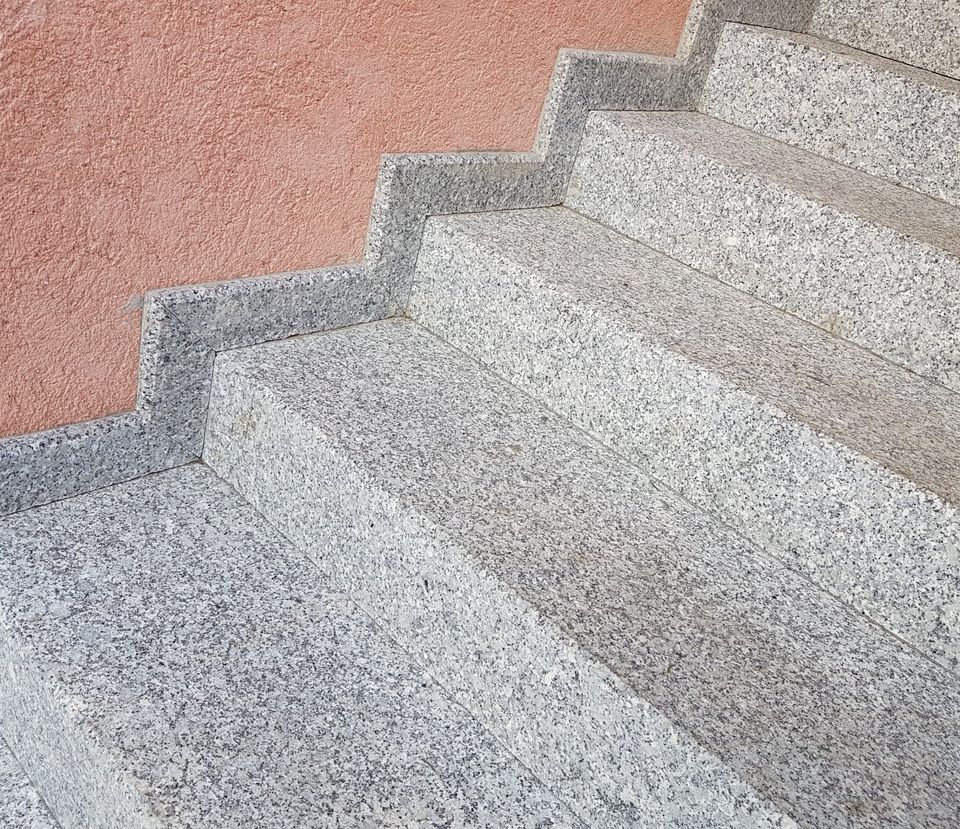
(563,715)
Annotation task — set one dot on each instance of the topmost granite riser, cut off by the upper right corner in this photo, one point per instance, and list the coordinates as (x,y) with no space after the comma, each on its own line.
(922,32)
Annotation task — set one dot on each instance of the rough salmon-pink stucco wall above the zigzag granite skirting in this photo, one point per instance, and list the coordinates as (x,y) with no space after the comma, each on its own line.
(146,143)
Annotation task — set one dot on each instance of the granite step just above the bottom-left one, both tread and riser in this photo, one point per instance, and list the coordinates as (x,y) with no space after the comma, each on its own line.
(652,667)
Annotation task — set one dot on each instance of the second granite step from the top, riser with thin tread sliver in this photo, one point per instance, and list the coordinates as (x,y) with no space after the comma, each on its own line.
(885,118)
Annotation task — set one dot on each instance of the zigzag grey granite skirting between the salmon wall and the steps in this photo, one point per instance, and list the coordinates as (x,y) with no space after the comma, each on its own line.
(43,467)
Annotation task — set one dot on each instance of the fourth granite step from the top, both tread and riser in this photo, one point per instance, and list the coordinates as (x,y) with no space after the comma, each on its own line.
(844,466)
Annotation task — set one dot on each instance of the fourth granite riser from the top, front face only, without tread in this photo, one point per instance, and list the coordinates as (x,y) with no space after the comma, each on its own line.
(815,504)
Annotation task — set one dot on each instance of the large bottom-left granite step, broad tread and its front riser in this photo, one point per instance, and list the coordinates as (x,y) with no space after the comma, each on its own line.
(168,660)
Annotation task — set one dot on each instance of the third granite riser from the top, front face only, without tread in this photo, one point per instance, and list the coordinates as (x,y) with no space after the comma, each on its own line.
(895,296)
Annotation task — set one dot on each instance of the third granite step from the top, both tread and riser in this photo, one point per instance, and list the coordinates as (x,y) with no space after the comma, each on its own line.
(864,258)
